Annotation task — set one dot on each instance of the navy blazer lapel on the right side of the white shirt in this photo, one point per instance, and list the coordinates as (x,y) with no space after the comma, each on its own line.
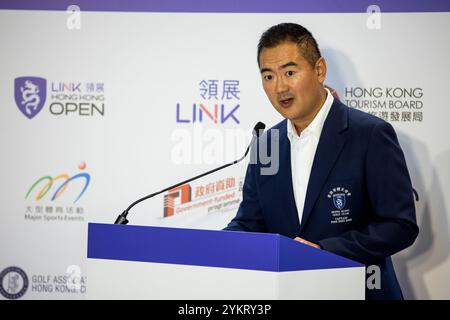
(332,139)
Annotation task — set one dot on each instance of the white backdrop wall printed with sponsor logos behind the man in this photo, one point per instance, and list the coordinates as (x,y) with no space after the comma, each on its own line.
(137,66)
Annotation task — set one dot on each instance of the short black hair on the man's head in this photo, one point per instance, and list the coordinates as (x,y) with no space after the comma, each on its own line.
(292,32)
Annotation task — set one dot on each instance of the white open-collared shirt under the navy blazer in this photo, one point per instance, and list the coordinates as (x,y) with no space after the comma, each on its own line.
(303,150)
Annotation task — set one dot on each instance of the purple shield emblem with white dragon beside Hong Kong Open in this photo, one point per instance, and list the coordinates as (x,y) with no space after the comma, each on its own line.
(30,94)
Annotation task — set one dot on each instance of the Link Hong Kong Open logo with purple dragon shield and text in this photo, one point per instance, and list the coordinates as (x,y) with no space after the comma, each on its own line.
(65,98)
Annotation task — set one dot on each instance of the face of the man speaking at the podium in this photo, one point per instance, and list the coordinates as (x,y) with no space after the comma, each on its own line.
(293,86)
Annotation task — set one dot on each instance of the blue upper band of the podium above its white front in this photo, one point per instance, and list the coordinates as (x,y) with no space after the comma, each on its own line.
(226,249)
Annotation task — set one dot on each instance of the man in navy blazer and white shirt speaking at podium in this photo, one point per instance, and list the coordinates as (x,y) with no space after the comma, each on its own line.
(348,190)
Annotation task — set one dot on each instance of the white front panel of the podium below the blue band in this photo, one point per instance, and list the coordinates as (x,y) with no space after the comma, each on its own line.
(114,279)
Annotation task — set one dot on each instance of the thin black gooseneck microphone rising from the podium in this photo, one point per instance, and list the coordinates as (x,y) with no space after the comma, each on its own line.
(257,130)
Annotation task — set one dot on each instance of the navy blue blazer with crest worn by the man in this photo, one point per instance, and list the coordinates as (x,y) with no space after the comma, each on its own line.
(359,202)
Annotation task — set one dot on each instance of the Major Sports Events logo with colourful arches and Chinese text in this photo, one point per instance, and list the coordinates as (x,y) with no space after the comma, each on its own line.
(53,189)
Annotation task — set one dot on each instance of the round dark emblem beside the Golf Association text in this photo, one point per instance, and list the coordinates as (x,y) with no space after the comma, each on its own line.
(13,283)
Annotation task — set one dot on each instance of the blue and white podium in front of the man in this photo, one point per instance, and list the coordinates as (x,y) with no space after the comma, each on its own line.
(140,262)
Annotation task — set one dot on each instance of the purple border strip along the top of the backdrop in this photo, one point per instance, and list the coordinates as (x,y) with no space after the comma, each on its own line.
(232,6)
